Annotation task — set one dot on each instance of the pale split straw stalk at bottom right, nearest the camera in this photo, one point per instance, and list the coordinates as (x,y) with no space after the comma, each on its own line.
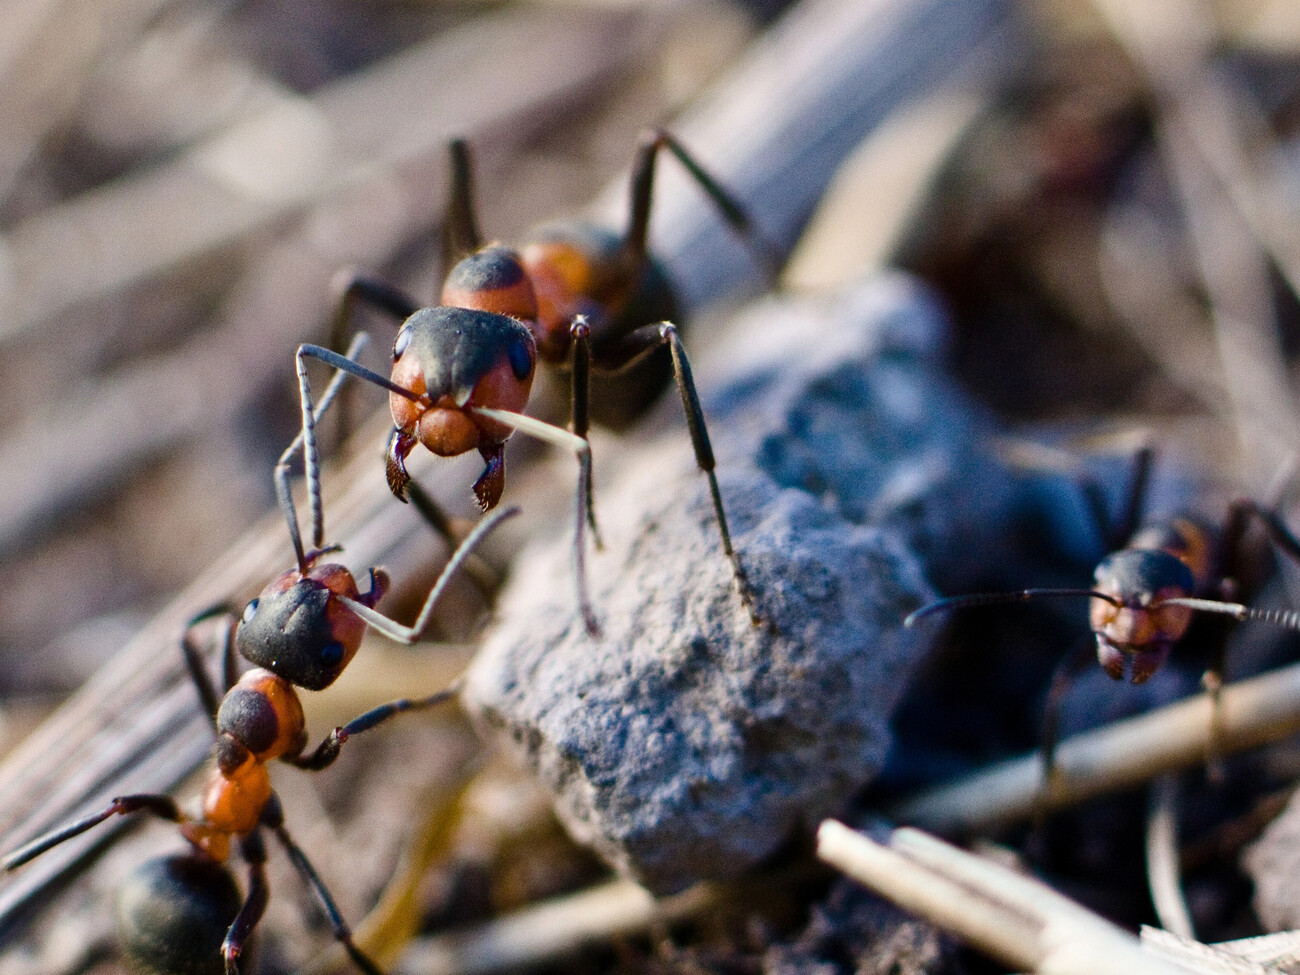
(1020,921)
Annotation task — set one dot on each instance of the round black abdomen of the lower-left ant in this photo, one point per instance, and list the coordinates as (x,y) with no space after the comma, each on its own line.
(174,915)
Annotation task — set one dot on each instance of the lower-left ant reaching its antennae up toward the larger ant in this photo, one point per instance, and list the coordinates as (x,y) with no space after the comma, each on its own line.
(184,913)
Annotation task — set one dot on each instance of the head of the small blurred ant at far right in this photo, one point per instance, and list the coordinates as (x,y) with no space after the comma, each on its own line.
(1130,616)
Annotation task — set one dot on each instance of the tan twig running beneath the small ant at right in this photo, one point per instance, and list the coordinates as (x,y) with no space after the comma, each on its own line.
(1116,757)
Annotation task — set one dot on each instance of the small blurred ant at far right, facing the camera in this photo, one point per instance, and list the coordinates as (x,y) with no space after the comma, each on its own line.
(1146,592)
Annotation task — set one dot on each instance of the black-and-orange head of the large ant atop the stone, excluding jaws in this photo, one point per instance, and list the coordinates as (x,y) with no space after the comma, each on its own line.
(457,359)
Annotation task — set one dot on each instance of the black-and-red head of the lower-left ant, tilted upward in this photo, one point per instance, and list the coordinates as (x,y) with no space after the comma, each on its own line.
(298,631)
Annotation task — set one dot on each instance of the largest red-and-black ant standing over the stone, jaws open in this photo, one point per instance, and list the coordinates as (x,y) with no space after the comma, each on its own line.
(575,296)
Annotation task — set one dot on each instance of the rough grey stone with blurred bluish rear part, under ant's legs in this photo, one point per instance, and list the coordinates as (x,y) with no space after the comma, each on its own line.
(684,743)
